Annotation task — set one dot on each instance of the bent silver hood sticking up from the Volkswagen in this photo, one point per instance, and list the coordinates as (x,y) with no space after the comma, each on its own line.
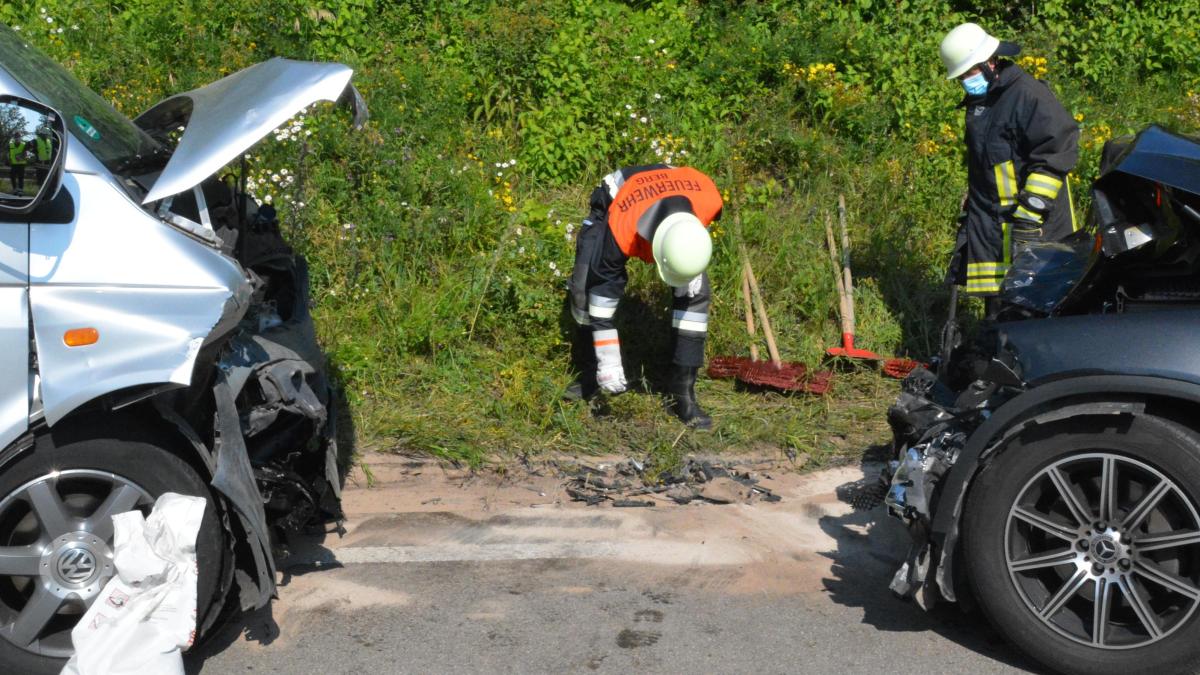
(224,120)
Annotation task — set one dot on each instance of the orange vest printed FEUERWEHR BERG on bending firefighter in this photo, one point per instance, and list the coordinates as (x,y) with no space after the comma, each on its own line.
(644,190)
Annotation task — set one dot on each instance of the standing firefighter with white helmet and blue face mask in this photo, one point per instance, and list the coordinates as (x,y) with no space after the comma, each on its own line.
(1022,144)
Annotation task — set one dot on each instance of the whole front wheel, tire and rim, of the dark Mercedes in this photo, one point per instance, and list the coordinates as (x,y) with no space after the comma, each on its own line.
(1048,594)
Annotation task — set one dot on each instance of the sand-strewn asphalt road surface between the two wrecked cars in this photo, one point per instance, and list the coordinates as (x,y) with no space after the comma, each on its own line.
(446,575)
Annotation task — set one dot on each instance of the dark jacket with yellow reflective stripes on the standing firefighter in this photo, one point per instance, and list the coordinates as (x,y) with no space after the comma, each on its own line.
(1022,144)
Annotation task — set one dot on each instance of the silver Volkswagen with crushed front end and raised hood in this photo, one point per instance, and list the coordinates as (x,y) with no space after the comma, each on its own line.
(154,337)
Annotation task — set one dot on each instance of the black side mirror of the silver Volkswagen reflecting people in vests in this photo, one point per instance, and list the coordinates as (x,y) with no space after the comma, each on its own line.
(33,144)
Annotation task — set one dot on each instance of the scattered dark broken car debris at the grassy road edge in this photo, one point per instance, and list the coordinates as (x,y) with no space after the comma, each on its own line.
(704,481)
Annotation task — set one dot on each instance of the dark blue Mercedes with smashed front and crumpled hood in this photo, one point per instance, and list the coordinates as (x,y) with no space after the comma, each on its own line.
(1049,469)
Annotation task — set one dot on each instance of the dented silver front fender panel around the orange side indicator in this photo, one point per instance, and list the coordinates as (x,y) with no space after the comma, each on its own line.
(152,294)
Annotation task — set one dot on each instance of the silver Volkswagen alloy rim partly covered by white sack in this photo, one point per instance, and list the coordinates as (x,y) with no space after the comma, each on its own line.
(56,553)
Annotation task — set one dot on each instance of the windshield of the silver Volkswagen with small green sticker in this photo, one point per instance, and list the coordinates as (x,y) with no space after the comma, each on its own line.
(112,138)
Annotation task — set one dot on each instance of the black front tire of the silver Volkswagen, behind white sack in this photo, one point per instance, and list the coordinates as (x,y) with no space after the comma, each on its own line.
(77,471)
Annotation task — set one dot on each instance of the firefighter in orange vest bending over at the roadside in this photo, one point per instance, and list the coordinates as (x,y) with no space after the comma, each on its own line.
(658,214)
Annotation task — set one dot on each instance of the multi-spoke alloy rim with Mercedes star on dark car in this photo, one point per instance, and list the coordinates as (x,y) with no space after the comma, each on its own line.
(1106,551)
